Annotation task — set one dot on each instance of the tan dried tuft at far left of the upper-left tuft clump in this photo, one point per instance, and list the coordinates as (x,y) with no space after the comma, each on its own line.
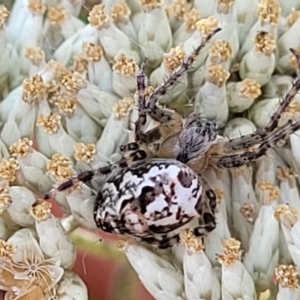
(33,89)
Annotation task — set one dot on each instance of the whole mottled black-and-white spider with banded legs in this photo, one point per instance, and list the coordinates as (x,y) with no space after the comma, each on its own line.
(154,199)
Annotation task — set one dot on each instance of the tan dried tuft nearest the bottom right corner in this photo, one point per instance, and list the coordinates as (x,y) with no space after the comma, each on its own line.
(287,276)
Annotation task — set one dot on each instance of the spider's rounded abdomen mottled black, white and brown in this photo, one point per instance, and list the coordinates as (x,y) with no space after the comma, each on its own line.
(149,200)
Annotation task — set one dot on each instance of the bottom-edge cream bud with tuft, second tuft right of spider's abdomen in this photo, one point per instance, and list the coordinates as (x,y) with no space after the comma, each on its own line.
(236,281)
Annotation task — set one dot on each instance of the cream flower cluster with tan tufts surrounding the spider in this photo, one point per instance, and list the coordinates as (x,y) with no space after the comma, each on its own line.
(67,102)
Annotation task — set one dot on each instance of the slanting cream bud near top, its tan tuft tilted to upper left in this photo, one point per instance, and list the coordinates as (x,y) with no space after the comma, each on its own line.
(113,41)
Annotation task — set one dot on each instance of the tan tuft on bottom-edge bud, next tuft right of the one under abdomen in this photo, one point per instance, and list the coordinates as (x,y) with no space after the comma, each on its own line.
(231,248)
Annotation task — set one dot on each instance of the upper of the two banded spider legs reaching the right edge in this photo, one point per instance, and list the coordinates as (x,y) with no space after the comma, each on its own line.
(259,136)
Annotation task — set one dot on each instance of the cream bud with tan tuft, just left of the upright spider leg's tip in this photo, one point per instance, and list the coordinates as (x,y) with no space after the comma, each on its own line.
(124,75)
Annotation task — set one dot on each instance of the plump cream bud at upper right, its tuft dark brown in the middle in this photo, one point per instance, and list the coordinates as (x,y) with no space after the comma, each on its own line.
(259,63)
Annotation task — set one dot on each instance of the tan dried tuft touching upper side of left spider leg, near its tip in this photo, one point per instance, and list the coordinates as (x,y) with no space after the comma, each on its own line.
(60,167)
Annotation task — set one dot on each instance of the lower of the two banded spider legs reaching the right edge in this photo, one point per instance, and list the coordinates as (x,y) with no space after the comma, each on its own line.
(232,161)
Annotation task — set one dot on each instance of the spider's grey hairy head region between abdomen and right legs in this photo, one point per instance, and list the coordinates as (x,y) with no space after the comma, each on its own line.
(196,138)
